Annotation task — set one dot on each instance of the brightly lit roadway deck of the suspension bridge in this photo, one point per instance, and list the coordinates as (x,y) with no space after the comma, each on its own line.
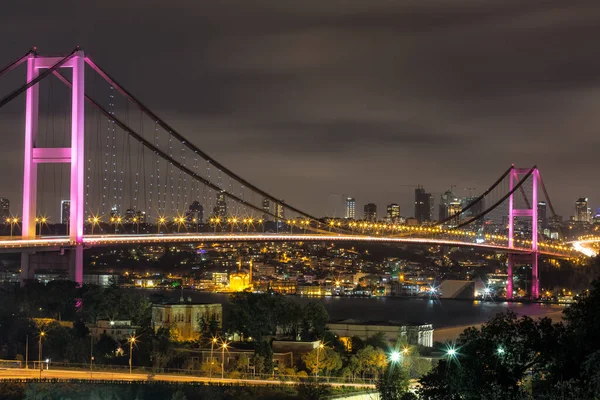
(50,243)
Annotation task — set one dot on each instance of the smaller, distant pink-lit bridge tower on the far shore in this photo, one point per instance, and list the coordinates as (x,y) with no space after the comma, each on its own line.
(532,212)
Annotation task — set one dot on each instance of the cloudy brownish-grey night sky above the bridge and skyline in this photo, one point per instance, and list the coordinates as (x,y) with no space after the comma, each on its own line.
(313,100)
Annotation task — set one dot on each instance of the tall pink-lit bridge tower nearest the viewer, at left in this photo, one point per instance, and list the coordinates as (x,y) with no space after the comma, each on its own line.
(74,155)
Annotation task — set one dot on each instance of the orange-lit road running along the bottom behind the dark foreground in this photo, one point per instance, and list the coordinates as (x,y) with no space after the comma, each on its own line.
(20,373)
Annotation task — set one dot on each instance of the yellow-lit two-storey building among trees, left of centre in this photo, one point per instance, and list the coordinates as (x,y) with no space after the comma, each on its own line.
(184,318)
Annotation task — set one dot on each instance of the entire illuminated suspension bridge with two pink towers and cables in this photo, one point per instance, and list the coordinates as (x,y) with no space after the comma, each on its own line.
(129,177)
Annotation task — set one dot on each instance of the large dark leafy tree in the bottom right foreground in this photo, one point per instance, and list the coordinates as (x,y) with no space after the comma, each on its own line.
(496,358)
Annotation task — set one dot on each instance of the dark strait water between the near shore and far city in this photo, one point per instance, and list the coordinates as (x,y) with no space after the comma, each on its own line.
(440,313)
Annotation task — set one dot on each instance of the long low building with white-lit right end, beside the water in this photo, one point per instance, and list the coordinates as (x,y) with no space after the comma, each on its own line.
(415,334)
